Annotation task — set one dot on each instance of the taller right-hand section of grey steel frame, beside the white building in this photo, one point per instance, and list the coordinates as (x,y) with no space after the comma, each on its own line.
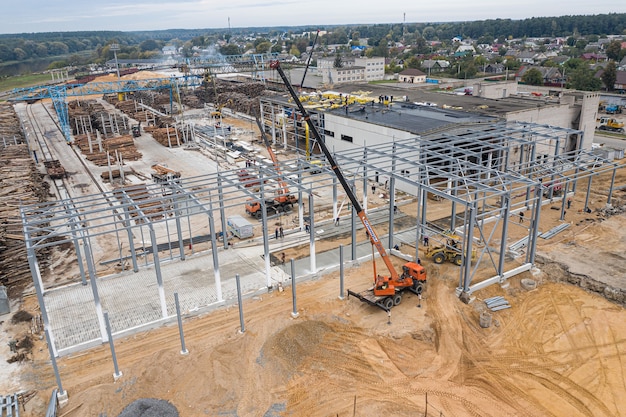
(484,174)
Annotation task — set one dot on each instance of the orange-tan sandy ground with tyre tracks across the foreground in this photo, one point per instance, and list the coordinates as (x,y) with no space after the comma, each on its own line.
(558,351)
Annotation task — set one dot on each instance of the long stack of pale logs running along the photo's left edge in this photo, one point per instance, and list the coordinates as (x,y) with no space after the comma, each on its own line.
(20,183)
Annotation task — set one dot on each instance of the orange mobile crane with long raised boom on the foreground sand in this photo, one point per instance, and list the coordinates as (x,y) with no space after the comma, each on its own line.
(387,290)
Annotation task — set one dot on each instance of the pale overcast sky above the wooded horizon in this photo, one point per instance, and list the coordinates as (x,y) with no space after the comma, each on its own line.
(74,15)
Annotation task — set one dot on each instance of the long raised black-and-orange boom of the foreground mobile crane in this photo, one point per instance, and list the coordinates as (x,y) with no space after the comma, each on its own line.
(331,160)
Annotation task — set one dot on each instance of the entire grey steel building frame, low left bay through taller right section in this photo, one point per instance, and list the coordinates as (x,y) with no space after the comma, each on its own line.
(483,173)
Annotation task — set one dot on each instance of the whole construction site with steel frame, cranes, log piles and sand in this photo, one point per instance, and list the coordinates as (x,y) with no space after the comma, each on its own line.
(203,245)
